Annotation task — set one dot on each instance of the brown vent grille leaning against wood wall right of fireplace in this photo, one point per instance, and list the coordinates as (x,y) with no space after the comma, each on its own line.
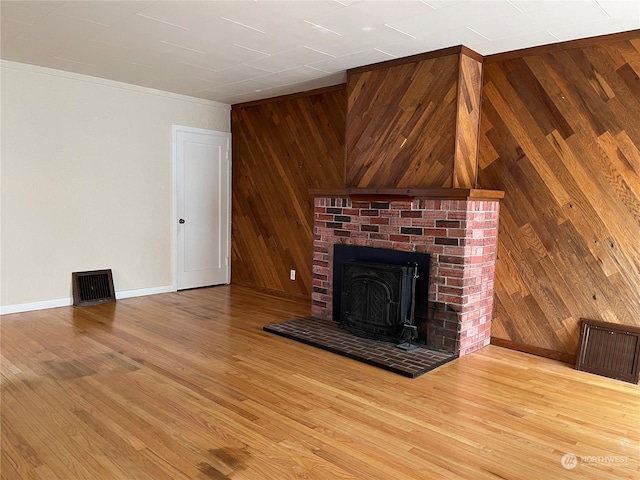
(609,349)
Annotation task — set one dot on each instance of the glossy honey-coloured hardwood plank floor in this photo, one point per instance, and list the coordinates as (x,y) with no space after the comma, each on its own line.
(187,386)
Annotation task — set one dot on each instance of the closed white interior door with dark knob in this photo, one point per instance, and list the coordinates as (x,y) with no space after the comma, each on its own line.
(202,207)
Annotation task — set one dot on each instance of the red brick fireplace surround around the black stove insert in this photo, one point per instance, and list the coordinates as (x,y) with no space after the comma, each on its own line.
(460,235)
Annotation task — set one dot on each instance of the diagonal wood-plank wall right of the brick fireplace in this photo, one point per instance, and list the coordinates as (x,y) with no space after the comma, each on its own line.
(560,134)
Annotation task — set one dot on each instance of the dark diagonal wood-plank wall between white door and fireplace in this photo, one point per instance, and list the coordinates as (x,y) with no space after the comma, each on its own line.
(281,149)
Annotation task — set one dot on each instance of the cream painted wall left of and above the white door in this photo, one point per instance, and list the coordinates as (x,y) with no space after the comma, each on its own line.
(86,182)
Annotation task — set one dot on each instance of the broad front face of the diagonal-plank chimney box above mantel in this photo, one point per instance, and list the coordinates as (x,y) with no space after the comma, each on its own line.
(401,124)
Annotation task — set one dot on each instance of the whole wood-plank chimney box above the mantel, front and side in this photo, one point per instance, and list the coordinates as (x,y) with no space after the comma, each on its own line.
(414,122)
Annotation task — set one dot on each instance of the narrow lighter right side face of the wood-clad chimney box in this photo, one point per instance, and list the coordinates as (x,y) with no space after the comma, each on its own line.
(465,164)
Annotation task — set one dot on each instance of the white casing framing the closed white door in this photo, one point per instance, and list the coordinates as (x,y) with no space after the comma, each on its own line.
(175,129)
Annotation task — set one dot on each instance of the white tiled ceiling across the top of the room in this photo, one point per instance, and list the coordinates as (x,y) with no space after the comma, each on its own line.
(238,51)
